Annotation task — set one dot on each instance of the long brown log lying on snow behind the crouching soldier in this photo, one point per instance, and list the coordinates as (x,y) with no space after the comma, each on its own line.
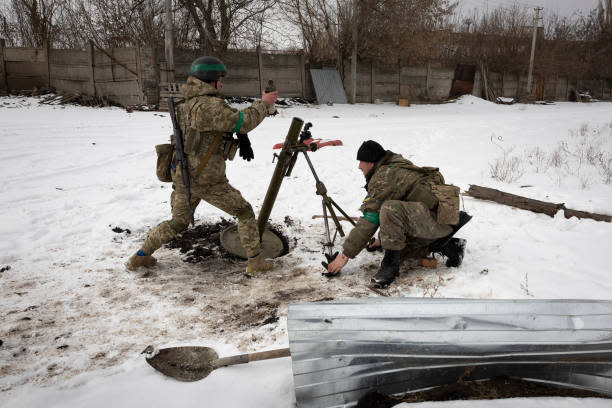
(524,203)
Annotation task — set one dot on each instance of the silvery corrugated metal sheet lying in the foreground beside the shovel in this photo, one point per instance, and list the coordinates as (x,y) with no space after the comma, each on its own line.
(342,350)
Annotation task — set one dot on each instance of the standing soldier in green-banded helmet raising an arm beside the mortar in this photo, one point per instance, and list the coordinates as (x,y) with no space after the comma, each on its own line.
(203,118)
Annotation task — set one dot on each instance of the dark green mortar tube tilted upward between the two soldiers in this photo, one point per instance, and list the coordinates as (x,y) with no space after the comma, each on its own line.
(278,175)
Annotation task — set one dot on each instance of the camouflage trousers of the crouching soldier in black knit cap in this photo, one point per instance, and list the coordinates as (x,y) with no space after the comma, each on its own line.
(408,226)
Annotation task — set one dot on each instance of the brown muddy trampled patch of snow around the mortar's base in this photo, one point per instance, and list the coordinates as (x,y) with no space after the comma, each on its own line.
(100,317)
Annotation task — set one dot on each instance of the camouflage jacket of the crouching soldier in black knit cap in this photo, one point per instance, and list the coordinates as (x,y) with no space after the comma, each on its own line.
(392,178)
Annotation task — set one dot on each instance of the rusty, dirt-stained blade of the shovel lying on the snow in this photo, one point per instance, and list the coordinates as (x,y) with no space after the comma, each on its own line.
(188,364)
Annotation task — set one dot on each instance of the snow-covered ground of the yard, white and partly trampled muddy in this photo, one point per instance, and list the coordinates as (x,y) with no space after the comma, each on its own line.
(74,321)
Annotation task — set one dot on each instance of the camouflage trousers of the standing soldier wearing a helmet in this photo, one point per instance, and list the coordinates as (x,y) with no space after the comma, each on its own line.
(215,190)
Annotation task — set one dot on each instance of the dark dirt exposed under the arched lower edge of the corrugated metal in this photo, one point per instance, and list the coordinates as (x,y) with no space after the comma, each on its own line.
(496,388)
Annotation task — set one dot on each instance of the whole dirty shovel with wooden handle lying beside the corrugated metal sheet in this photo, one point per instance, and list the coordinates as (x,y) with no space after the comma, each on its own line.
(192,363)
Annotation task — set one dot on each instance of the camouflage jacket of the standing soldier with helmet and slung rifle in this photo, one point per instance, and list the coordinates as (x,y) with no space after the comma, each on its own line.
(202,116)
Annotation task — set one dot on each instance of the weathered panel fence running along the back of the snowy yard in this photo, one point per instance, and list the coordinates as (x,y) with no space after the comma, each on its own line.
(129,76)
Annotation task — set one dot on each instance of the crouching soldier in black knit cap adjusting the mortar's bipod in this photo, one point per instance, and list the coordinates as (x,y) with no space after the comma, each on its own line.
(400,201)
